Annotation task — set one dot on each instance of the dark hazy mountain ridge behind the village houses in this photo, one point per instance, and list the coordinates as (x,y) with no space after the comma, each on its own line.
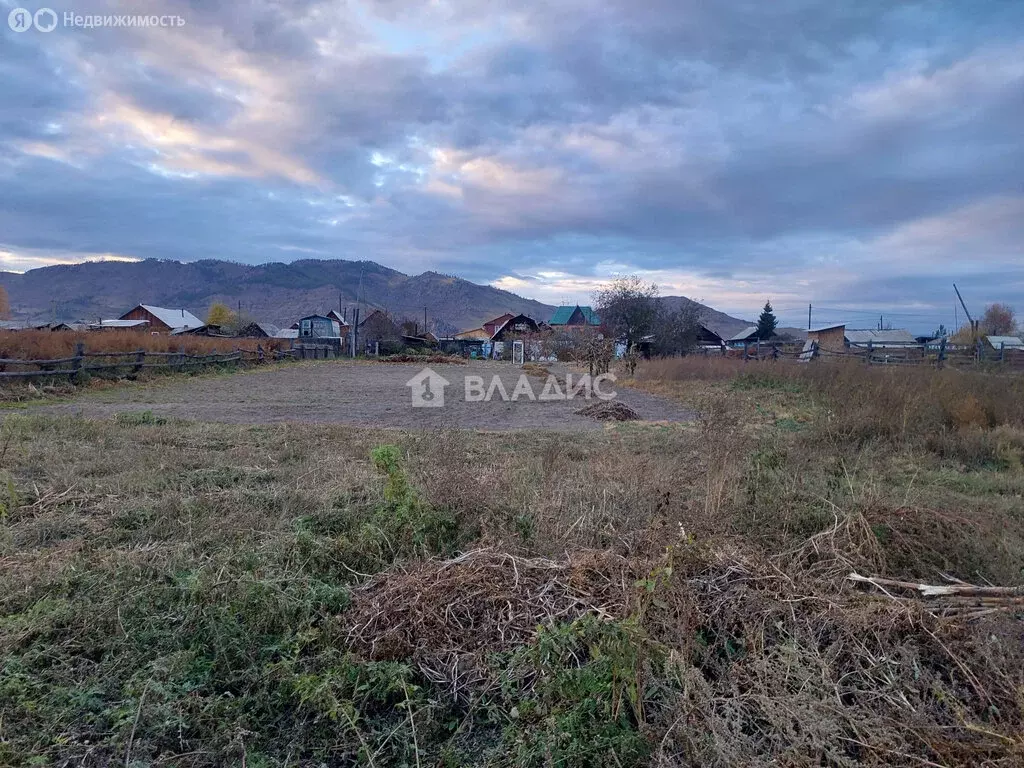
(275,293)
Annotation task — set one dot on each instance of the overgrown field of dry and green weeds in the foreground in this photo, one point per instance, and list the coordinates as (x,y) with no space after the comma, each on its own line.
(193,594)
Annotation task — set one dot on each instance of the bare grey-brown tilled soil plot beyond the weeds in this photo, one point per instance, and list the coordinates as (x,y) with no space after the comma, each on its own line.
(360,394)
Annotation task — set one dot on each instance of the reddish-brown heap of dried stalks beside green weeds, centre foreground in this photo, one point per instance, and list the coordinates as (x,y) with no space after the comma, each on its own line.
(446,616)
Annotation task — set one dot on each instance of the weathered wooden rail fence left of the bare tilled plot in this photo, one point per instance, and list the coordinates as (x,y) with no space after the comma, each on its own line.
(130,363)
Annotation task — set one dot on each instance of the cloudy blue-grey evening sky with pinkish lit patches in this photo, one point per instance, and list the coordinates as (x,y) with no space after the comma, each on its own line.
(859,157)
